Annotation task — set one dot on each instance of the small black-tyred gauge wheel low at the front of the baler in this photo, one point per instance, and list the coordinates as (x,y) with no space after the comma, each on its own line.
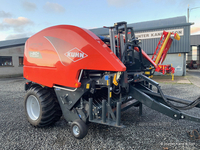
(79,129)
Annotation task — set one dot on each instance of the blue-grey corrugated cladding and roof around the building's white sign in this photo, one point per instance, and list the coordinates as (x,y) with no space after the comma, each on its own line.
(149,45)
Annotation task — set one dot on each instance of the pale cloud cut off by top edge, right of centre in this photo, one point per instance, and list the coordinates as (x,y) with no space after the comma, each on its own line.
(121,3)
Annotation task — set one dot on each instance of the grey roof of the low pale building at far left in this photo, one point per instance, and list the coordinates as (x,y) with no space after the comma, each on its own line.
(10,43)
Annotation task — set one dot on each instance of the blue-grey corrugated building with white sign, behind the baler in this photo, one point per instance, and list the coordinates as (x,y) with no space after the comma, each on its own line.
(150,32)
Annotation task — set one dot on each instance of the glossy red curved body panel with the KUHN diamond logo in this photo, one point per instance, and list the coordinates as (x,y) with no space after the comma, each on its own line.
(55,56)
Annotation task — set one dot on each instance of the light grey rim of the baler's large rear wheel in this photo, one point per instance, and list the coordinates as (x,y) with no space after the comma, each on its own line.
(33,107)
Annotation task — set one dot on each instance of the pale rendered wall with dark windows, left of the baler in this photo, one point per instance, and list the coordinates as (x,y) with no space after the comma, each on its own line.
(15,52)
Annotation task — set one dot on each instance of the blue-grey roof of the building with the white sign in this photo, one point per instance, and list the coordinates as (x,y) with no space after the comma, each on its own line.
(147,25)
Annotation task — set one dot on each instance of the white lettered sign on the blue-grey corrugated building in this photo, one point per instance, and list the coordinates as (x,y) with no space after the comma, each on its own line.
(157,34)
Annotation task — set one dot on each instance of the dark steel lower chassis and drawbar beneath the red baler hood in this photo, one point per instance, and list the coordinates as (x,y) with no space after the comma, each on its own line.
(80,105)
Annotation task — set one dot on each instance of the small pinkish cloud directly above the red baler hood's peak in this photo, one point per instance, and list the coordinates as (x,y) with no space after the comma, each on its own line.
(53,7)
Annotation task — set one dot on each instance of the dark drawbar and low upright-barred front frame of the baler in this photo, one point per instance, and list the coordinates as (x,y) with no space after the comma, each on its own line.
(141,92)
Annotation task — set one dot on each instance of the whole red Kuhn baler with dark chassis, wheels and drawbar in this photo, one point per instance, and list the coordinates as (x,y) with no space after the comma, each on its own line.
(72,72)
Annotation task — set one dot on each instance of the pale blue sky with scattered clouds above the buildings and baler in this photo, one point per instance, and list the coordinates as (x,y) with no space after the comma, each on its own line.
(23,18)
